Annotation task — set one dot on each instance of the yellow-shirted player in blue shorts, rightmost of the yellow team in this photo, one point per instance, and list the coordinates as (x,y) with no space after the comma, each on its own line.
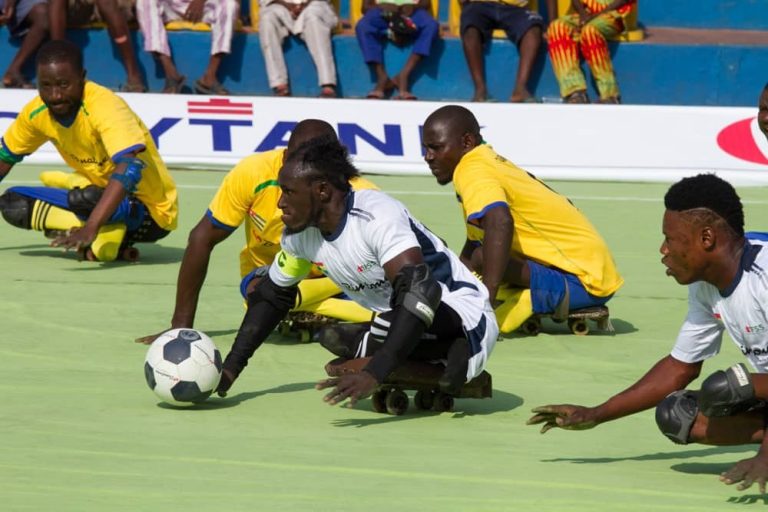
(537,253)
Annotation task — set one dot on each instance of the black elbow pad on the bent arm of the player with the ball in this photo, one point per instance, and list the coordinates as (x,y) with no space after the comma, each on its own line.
(417,291)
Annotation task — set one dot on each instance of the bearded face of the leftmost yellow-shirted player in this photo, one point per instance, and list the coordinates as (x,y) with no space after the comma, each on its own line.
(61,88)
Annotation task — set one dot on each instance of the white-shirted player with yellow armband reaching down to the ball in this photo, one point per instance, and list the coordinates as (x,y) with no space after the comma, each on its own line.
(383,259)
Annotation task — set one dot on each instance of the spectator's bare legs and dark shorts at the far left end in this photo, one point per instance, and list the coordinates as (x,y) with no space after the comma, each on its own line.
(27,20)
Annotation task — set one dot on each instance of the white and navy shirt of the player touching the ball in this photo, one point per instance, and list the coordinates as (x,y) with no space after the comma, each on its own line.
(375,229)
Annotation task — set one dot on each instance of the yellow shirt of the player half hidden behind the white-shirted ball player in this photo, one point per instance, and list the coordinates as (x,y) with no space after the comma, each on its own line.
(250,193)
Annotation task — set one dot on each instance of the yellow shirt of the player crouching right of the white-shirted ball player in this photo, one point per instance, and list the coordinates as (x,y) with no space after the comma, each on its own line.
(548,228)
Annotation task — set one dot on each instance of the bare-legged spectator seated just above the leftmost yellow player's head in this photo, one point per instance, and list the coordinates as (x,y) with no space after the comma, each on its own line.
(115,13)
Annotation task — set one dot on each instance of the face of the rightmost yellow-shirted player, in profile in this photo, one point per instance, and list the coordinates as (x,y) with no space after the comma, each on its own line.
(443,150)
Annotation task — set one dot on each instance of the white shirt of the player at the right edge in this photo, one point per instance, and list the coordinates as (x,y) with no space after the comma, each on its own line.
(741,310)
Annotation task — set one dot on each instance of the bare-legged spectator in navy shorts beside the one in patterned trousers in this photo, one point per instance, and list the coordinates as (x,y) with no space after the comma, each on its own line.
(523,27)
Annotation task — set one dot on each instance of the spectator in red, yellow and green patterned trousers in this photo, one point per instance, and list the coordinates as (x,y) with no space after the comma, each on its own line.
(586,29)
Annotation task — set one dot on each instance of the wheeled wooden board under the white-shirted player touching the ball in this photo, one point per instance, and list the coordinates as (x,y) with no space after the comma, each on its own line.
(422,377)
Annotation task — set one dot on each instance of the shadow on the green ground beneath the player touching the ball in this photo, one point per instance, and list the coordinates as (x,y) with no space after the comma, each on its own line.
(464,407)
